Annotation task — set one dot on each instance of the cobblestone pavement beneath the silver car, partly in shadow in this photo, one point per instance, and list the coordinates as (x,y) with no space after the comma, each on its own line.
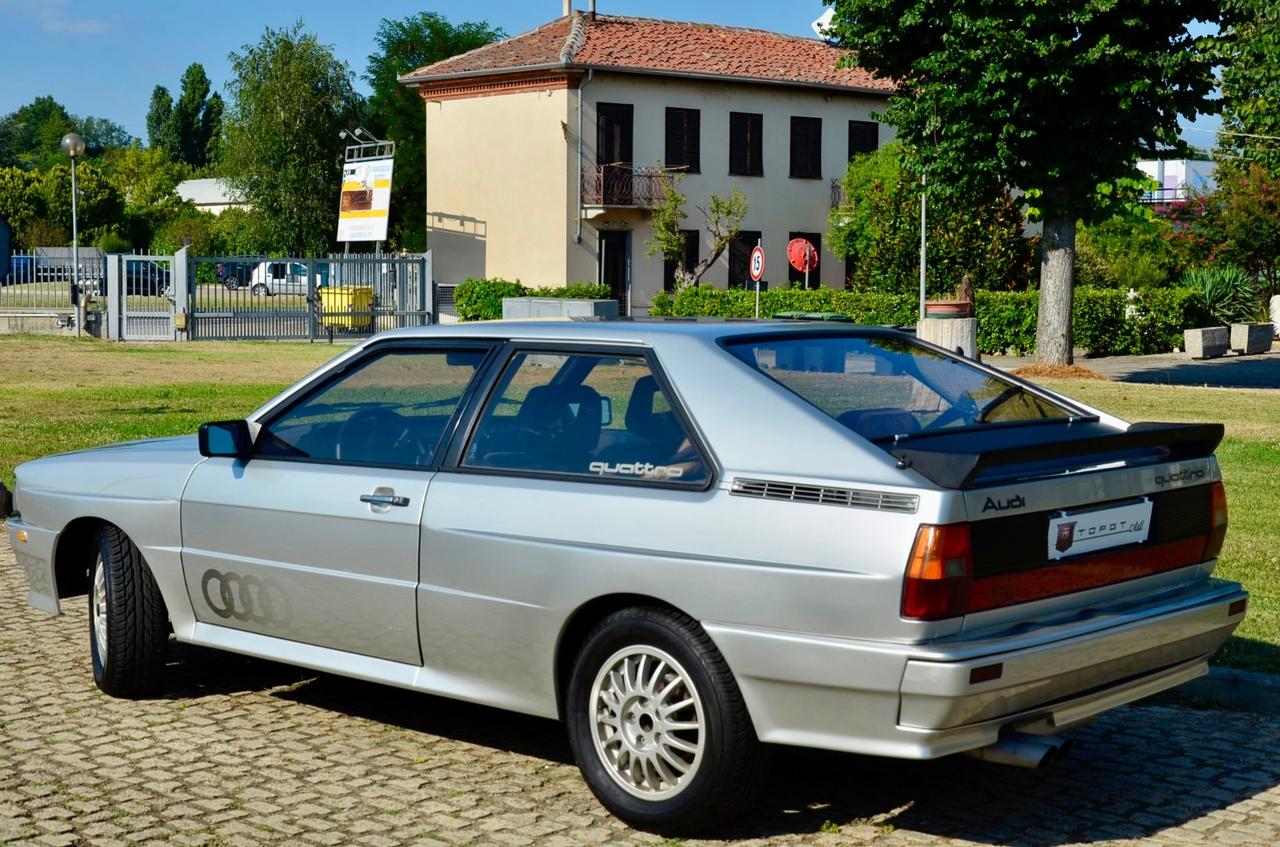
(243,753)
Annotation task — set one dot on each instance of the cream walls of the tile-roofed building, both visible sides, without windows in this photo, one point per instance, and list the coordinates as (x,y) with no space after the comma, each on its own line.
(504,177)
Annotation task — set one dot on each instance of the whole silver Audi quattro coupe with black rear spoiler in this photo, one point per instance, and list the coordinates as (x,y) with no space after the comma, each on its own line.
(688,541)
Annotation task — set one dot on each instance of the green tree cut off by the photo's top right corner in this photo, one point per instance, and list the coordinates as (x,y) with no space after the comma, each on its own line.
(1250,54)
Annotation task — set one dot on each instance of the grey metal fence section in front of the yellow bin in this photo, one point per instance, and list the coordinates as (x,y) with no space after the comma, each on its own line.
(260,297)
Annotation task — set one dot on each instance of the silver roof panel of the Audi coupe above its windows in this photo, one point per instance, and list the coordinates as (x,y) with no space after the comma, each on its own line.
(632,331)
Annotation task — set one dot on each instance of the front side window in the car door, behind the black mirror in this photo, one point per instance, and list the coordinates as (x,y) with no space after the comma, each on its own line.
(391,410)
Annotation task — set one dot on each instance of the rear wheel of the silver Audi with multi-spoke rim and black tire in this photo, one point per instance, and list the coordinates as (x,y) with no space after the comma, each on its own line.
(659,725)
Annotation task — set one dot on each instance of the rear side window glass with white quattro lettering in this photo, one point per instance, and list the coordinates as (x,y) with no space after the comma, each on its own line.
(586,415)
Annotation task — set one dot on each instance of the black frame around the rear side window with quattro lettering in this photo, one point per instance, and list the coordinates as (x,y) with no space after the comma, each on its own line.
(504,360)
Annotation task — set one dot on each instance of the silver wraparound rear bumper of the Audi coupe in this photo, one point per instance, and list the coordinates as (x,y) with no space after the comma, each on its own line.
(917,702)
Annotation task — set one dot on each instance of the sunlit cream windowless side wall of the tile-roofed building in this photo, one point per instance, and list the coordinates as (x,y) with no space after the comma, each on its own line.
(497,187)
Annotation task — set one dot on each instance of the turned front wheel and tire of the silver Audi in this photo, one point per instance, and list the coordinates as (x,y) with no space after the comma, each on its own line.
(129,629)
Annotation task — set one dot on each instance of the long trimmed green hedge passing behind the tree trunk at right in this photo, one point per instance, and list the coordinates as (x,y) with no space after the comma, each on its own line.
(1105,322)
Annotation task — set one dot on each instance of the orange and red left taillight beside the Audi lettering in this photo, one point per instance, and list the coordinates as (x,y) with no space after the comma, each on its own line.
(939,574)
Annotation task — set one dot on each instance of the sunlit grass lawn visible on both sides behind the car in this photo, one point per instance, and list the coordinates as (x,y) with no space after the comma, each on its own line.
(65,395)
